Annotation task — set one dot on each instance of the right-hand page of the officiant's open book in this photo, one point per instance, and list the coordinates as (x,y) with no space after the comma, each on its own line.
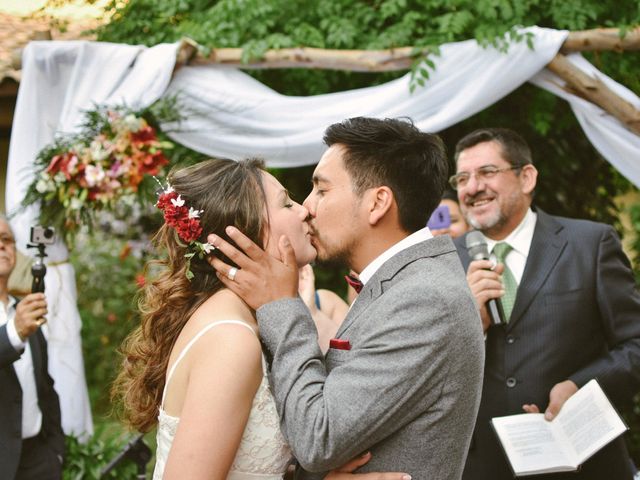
(589,421)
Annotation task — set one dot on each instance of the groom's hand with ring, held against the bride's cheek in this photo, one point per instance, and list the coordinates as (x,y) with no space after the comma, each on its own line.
(260,278)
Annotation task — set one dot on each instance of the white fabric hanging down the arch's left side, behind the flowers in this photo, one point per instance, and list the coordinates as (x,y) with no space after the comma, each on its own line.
(59,81)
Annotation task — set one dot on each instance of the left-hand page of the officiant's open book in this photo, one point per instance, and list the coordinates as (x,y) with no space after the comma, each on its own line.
(531,444)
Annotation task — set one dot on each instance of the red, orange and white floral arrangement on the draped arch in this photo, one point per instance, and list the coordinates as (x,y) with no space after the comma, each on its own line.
(99,169)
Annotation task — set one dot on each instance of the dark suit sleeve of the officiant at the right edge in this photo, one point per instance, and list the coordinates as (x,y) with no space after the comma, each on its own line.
(617,370)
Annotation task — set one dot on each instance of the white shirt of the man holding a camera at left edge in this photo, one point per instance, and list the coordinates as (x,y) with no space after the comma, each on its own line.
(31,413)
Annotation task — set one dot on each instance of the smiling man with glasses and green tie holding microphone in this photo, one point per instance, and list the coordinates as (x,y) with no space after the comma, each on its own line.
(569,296)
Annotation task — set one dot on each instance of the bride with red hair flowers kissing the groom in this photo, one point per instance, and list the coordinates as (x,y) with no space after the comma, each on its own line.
(195,365)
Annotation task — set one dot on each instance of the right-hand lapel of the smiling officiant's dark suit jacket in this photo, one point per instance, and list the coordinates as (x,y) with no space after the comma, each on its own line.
(546,246)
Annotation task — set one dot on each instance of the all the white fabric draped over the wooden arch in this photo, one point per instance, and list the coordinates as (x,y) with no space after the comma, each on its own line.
(232,115)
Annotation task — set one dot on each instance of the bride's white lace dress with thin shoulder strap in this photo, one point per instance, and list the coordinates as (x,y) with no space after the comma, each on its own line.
(263,453)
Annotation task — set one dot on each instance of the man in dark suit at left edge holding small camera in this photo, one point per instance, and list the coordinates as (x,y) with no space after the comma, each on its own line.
(31,438)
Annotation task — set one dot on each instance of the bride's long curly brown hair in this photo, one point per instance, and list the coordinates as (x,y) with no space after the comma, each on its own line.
(228,193)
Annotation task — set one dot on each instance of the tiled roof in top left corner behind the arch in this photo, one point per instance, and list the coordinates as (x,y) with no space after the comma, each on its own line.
(16,32)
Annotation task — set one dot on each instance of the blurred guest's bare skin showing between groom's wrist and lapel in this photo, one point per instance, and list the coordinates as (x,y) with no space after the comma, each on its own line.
(327,308)
